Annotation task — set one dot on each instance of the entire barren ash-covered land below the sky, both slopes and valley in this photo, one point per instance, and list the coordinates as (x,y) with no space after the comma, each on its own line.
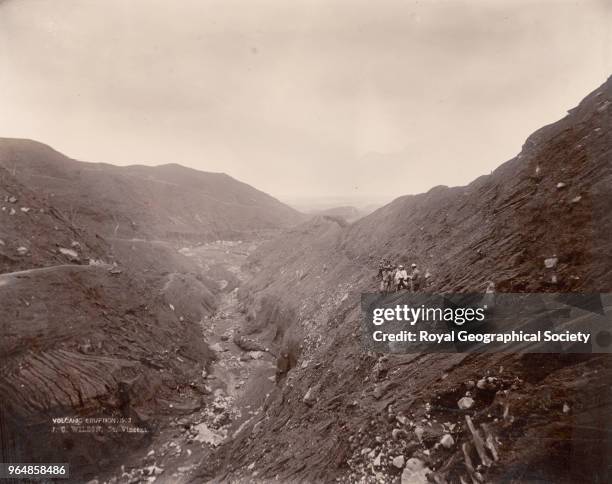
(233,342)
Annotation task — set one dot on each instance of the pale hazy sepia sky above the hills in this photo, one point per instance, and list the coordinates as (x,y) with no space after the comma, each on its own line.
(300,98)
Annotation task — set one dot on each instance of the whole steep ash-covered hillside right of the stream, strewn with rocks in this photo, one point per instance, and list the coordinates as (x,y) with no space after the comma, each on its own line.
(341,413)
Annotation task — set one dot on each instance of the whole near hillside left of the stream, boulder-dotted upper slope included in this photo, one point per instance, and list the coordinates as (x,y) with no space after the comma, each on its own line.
(87,334)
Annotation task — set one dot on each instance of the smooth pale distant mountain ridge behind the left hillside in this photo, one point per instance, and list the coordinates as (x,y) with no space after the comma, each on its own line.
(169,202)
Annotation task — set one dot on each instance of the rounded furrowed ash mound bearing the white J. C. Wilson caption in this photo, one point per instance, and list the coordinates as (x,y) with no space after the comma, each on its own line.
(79,342)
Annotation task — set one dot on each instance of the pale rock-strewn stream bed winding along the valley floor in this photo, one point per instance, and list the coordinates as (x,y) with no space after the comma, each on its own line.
(238,383)
